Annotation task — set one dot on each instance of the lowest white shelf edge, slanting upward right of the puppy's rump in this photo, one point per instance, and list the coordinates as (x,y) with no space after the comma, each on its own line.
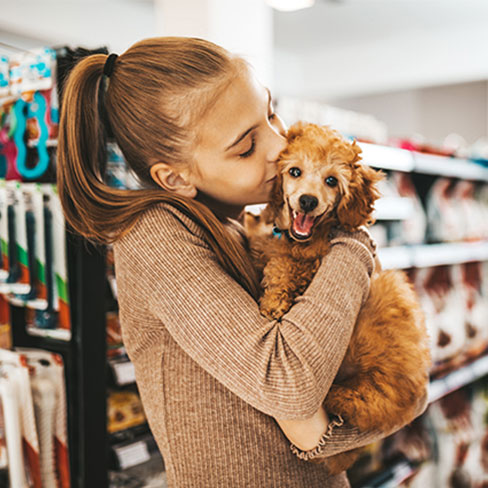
(458,378)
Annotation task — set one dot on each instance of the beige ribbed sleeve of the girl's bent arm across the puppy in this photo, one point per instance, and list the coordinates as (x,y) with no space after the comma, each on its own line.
(282,368)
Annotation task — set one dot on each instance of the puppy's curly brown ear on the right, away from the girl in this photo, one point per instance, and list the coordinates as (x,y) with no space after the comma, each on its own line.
(356,206)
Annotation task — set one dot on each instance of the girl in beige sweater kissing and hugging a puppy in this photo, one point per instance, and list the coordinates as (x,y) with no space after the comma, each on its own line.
(217,379)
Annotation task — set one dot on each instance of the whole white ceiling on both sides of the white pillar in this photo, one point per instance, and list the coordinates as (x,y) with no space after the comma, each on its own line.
(338,48)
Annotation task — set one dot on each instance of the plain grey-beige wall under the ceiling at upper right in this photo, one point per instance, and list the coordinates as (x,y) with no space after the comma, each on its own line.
(433,112)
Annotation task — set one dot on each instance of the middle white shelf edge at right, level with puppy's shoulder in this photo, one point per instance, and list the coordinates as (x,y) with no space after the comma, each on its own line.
(426,255)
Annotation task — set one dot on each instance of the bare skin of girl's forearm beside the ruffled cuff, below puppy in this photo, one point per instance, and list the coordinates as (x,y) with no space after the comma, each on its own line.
(305,434)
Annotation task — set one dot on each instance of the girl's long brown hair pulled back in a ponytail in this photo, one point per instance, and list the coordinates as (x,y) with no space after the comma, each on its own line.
(145,110)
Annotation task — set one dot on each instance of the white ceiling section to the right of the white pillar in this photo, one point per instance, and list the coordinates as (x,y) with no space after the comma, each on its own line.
(339,49)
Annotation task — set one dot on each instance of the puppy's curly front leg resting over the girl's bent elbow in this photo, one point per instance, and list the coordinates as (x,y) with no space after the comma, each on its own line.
(283,280)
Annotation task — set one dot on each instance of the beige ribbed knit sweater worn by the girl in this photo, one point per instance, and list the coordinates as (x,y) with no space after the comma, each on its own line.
(212,372)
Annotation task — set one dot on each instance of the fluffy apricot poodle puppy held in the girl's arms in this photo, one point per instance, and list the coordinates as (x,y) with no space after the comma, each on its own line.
(322,185)
